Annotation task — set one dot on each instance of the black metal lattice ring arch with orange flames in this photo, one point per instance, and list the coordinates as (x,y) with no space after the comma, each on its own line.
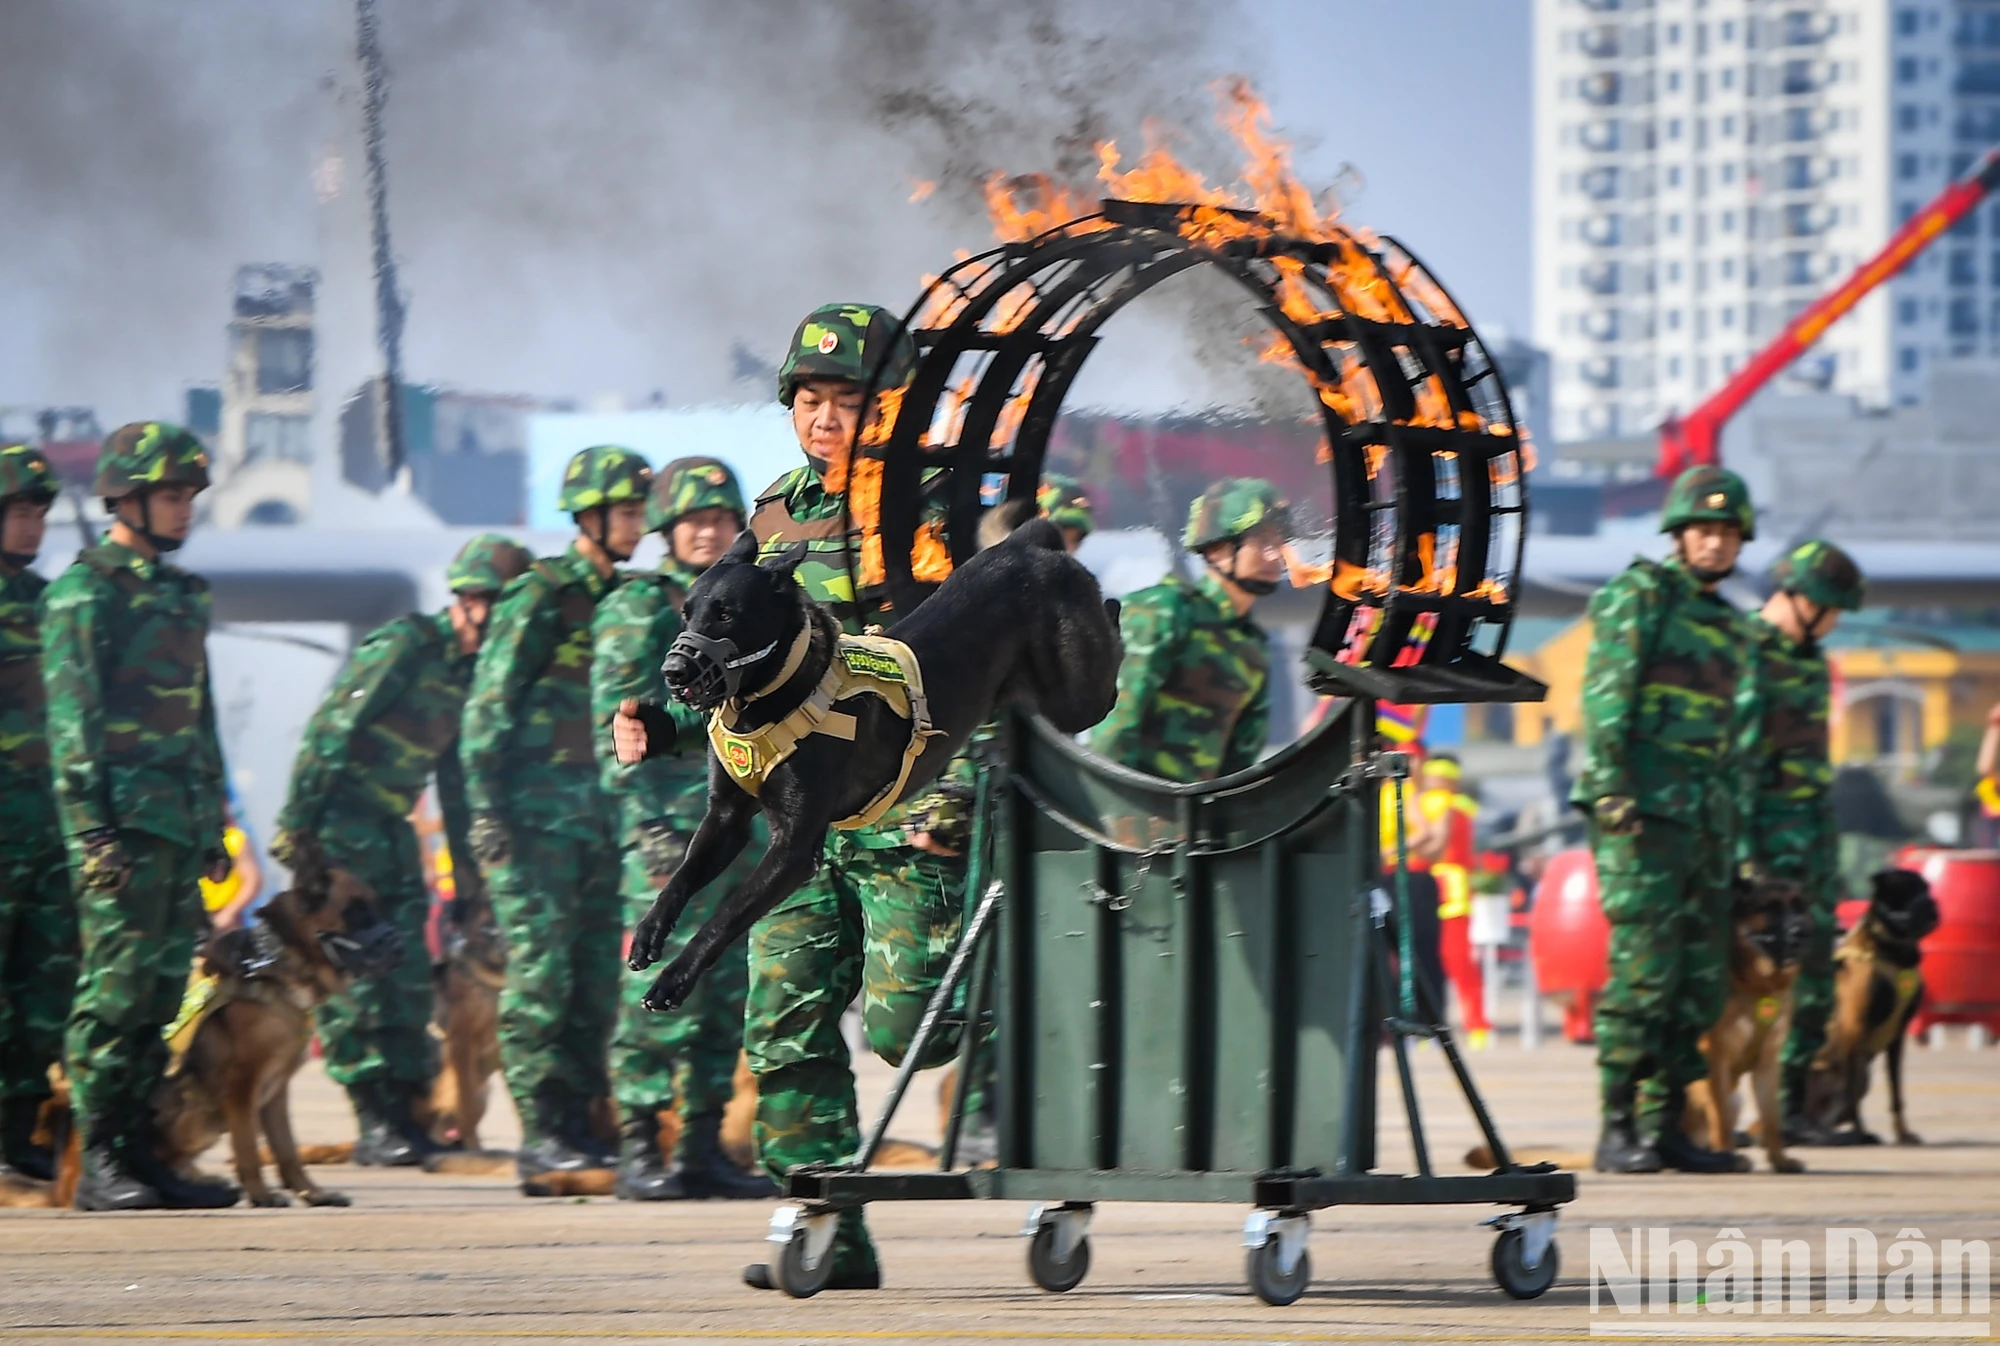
(1429,467)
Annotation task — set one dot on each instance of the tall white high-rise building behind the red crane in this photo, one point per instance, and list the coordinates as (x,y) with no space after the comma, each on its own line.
(1705,169)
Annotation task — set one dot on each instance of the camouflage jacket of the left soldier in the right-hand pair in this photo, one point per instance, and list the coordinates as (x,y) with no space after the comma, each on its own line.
(1665,697)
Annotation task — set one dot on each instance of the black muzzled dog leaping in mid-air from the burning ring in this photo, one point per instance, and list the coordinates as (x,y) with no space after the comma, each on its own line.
(1021,621)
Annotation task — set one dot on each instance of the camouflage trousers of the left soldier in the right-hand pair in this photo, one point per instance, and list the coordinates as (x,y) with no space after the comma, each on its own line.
(1667,897)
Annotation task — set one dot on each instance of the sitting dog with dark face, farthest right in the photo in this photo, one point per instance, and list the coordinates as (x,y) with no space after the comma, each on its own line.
(1877,993)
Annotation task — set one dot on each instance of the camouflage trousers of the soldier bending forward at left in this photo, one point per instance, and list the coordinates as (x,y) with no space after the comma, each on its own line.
(379,1031)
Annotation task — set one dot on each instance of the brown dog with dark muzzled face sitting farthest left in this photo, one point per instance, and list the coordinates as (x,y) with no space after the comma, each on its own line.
(249,1037)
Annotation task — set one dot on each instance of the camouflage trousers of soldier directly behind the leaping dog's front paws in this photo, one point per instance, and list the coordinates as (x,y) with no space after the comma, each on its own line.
(687,1057)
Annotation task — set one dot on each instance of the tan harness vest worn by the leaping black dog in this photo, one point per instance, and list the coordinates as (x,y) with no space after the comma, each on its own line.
(861,667)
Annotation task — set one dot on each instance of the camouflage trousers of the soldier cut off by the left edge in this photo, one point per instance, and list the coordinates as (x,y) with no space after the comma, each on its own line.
(37,965)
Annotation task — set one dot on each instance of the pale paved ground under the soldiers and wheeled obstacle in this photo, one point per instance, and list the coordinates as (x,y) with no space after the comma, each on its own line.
(469,1261)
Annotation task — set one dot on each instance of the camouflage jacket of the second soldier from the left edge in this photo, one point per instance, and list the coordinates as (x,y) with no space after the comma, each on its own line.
(131,717)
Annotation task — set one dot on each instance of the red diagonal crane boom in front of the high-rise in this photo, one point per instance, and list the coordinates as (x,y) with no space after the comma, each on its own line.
(1697,437)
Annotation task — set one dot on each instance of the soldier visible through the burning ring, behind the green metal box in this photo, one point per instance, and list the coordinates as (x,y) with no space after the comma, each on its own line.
(1195,685)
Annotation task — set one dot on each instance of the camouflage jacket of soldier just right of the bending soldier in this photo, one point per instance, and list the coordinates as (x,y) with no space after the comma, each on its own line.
(527,739)
